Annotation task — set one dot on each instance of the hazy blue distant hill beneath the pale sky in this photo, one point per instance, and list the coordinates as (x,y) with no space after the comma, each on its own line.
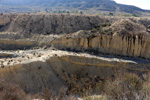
(98,5)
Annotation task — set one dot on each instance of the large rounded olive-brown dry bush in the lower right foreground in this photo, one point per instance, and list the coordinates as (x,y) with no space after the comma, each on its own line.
(127,87)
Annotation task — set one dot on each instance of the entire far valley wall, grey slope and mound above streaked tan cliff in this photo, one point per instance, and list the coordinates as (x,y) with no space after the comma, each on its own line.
(125,37)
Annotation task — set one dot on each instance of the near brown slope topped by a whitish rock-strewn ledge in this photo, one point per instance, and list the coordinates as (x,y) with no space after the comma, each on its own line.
(56,69)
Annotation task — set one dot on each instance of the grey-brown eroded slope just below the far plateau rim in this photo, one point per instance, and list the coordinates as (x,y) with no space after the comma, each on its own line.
(53,24)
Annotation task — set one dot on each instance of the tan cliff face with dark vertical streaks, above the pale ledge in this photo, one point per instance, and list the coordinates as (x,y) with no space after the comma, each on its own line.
(134,46)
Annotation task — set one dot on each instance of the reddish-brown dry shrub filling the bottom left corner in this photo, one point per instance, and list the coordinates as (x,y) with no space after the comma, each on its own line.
(10,91)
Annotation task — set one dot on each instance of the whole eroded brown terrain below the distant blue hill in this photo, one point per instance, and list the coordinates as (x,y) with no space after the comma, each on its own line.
(45,56)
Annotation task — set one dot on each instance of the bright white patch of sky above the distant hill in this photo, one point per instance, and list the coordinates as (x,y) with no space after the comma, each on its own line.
(144,4)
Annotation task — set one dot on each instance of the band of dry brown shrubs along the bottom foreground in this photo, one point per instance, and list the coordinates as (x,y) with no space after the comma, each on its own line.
(127,87)
